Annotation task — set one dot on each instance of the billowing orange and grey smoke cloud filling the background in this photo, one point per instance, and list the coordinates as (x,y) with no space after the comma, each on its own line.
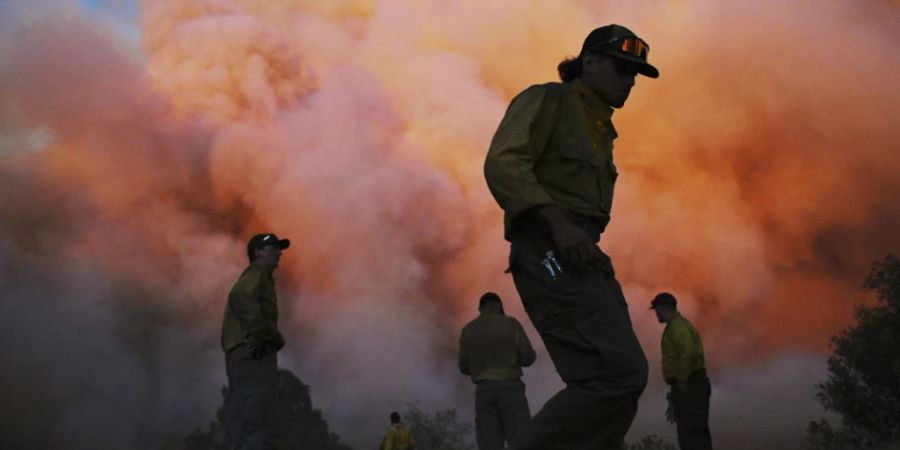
(758,184)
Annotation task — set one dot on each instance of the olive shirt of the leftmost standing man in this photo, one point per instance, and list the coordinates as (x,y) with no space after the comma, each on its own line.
(251,314)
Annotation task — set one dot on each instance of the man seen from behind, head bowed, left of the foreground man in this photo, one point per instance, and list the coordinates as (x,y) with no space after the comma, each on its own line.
(493,348)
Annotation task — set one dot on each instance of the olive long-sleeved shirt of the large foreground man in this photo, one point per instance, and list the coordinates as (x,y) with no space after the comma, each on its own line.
(554,146)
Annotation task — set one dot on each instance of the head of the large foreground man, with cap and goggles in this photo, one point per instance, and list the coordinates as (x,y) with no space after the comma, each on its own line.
(610,58)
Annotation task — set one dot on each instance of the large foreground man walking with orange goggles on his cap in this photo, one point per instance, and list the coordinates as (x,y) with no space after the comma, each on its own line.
(550,167)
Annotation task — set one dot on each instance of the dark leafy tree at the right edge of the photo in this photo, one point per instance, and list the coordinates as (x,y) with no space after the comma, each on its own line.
(863,385)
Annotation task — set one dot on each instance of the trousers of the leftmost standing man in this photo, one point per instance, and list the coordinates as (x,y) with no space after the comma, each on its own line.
(251,391)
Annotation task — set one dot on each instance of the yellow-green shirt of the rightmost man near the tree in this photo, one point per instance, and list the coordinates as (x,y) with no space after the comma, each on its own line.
(682,350)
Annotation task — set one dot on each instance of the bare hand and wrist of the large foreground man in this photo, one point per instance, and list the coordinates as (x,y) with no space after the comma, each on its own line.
(576,248)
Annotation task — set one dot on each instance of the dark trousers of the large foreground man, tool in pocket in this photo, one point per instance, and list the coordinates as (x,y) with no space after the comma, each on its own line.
(583,320)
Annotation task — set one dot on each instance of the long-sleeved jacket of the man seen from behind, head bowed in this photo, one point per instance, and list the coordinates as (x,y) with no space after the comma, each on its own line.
(494,347)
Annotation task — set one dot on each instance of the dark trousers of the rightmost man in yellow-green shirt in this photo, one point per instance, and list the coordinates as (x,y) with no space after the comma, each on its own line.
(691,409)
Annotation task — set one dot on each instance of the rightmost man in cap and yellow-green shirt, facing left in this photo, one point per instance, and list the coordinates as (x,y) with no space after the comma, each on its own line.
(684,368)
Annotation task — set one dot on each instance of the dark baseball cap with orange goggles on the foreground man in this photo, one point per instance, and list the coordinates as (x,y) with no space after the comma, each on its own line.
(620,42)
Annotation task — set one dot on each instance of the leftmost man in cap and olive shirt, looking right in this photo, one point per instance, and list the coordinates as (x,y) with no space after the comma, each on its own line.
(250,339)
